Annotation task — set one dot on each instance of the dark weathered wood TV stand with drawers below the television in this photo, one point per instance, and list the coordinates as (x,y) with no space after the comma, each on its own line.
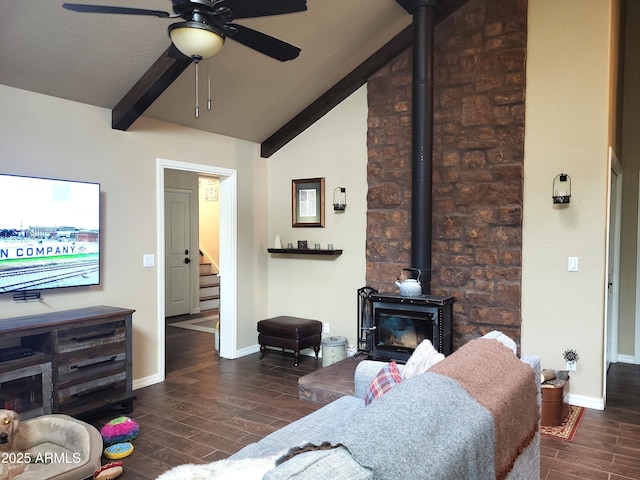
(80,362)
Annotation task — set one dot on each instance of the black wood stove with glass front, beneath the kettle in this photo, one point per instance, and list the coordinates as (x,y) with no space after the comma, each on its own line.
(393,326)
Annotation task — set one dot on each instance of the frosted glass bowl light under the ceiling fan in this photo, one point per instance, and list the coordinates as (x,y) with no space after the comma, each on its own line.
(196,40)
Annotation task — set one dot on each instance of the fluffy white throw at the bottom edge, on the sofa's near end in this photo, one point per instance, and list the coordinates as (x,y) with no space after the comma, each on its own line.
(247,469)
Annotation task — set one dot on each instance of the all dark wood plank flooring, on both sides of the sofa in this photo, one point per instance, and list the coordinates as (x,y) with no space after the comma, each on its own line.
(208,408)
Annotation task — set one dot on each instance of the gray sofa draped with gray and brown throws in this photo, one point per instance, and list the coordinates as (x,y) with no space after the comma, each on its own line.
(427,426)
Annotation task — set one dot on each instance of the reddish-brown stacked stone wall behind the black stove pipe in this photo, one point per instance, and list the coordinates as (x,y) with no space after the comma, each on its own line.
(479,92)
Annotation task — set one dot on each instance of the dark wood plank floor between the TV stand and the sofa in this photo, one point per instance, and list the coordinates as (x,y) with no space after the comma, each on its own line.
(208,408)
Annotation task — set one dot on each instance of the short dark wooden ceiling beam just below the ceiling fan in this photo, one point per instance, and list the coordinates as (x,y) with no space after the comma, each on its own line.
(155,81)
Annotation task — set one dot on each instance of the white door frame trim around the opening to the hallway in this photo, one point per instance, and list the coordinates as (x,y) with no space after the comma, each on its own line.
(228,253)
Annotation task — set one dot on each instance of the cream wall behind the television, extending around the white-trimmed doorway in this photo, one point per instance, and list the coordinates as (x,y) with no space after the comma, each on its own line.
(45,136)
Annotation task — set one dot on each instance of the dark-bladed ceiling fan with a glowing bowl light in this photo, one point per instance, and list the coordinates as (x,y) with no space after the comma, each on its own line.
(208,22)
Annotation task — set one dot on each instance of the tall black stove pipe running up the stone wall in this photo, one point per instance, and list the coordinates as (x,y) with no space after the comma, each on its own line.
(423,12)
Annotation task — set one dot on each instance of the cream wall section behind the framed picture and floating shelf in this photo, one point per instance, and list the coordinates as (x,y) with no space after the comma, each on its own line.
(318,287)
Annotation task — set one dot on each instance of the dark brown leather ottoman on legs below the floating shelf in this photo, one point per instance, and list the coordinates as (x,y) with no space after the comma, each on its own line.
(292,333)
